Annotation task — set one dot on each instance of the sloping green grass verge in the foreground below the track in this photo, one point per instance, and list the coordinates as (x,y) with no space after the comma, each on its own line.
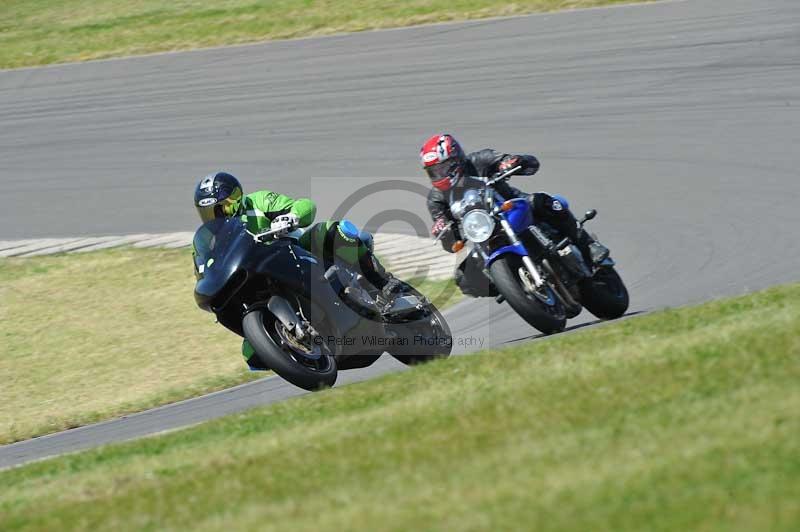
(686,419)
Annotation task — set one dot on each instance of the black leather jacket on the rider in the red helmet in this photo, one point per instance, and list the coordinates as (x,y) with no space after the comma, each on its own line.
(481,163)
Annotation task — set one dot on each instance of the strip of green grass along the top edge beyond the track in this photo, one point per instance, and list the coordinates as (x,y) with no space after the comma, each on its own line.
(38,32)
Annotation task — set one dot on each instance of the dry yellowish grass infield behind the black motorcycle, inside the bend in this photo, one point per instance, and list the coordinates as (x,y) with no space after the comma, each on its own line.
(87,337)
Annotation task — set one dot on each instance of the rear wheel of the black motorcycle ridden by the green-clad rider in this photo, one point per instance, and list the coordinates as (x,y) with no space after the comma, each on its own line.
(431,324)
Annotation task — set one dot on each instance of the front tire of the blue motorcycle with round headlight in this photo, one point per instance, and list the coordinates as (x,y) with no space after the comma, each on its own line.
(546,318)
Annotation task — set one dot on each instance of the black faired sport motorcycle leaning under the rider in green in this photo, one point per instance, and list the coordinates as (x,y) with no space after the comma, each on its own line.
(308,317)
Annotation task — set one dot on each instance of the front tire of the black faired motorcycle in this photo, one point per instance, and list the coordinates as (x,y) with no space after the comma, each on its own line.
(260,330)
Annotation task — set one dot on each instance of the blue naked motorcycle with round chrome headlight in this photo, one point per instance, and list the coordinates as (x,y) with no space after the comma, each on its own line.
(514,258)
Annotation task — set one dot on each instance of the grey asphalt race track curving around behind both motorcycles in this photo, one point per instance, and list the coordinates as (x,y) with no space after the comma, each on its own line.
(678,121)
